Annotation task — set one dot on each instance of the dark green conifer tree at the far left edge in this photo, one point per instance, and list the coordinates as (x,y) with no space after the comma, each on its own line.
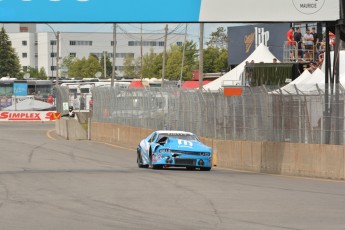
(9,61)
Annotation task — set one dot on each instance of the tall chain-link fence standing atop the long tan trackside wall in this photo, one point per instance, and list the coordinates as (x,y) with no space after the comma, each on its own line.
(260,114)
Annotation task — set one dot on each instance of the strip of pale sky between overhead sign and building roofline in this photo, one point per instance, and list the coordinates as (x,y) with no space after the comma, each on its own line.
(192,29)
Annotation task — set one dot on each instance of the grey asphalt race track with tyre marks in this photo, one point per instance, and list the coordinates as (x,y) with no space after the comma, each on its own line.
(47,182)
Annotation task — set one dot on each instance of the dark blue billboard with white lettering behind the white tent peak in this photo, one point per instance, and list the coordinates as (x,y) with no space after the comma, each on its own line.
(244,39)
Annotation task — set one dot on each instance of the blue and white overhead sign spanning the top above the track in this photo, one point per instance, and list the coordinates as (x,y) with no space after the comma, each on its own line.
(168,10)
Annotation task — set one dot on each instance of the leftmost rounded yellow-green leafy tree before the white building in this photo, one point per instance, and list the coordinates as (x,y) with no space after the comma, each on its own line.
(84,68)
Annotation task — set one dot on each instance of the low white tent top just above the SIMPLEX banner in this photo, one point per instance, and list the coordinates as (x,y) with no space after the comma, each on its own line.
(30,105)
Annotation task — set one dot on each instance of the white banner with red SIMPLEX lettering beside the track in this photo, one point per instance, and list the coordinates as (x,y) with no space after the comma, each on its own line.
(26,115)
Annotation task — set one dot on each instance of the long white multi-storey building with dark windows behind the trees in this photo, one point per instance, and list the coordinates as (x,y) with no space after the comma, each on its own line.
(39,49)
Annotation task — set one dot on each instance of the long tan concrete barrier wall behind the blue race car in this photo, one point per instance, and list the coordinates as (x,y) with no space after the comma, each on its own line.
(295,159)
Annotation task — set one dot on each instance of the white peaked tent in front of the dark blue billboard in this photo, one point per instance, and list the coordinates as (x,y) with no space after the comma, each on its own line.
(233,77)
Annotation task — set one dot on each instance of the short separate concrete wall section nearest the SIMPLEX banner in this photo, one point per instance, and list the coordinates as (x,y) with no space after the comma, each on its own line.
(70,129)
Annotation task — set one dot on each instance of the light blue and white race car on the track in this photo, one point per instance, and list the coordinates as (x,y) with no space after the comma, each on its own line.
(164,148)
